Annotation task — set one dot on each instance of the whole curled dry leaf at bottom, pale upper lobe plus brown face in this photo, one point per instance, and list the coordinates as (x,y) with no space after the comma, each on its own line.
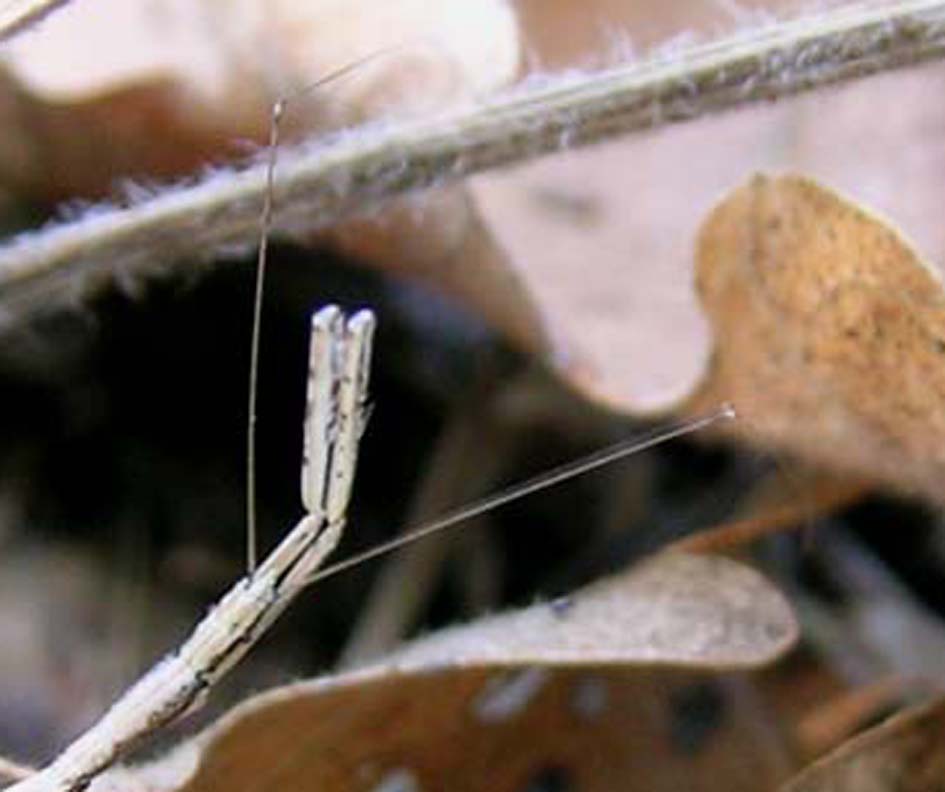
(483,706)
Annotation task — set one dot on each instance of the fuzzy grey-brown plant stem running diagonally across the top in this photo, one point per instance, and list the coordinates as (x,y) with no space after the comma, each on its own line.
(358,170)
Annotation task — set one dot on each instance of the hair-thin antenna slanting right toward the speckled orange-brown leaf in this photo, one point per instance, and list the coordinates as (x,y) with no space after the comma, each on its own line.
(542,481)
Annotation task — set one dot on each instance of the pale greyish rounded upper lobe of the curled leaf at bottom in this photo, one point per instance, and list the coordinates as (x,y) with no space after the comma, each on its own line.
(676,609)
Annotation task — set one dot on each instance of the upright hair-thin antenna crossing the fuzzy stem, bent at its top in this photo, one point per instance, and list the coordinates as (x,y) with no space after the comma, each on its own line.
(265,226)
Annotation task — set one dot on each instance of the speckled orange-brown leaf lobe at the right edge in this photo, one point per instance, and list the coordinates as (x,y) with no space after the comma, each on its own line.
(830,332)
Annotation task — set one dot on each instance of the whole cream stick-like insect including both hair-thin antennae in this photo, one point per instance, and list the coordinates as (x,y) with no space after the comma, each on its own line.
(340,353)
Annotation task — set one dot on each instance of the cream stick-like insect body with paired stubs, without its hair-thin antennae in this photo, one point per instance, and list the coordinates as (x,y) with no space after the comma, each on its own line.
(340,352)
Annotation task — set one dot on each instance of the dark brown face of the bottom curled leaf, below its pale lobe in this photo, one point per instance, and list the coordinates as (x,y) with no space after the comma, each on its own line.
(596,730)
